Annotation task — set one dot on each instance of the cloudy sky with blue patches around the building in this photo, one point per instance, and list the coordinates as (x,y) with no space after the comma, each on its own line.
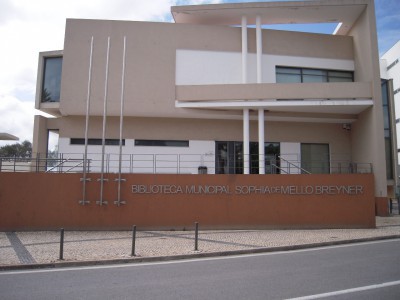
(30,26)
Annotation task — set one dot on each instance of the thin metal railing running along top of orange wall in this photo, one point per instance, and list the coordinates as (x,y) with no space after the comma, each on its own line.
(173,164)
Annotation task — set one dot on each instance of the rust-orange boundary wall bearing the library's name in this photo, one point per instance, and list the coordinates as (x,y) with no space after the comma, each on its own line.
(40,201)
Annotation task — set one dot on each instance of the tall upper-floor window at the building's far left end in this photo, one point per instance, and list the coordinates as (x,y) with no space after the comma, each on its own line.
(51,79)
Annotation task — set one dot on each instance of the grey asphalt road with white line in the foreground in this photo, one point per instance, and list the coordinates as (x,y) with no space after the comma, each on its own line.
(361,271)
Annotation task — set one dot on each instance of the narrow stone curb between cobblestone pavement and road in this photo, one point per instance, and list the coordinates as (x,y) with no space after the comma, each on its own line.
(137,260)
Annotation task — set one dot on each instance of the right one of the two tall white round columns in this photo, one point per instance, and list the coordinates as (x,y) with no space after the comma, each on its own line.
(261,124)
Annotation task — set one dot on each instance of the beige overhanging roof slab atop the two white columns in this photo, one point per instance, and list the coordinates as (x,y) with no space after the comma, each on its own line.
(304,12)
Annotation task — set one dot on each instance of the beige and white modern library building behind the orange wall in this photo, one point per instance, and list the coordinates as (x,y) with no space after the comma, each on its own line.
(216,92)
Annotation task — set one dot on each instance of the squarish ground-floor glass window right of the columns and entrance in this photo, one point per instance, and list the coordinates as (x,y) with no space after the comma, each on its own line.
(315,158)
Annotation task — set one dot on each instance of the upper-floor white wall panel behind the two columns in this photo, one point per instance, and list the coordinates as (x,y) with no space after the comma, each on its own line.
(216,67)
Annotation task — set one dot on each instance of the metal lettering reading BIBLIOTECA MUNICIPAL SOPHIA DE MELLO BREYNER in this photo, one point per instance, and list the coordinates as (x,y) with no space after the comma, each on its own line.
(248,189)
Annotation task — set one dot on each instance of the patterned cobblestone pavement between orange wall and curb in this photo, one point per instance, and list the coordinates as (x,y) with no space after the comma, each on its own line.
(25,248)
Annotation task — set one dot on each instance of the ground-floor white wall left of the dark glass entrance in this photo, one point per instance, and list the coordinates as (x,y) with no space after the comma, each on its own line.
(140,159)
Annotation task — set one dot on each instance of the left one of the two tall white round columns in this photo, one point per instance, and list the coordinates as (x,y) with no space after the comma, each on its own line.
(246,121)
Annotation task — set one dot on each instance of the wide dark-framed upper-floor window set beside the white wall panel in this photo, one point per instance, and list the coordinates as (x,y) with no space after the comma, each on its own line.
(301,75)
